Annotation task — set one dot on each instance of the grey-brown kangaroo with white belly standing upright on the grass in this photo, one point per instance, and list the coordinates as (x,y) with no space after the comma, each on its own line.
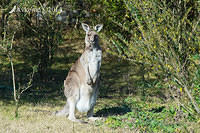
(82,82)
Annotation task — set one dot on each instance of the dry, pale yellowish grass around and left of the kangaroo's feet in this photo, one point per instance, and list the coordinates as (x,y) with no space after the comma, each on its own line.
(38,118)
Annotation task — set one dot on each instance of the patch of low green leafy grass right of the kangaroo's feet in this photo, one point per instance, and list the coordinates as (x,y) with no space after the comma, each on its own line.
(154,116)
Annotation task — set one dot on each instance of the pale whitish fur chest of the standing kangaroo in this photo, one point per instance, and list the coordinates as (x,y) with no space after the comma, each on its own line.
(94,61)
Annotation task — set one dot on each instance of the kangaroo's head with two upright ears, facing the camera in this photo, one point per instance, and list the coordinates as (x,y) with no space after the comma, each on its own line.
(91,38)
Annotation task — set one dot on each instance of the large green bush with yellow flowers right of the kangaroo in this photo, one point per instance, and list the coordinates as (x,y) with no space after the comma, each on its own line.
(164,37)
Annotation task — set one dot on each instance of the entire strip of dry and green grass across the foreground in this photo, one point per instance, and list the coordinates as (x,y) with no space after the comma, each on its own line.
(120,114)
